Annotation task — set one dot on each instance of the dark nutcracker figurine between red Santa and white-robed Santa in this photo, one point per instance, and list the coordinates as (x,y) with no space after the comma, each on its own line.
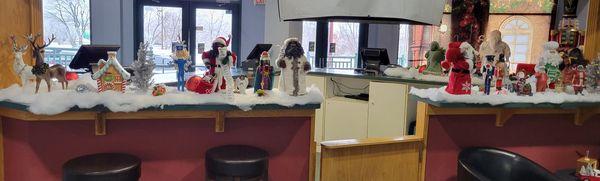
(264,75)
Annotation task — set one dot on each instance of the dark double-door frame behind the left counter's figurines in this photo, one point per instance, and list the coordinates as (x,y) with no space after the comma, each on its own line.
(188,21)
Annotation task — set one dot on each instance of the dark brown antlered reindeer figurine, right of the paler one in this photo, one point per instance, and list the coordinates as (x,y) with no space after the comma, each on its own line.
(41,70)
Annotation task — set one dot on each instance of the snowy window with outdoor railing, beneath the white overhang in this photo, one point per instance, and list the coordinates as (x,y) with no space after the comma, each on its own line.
(342,50)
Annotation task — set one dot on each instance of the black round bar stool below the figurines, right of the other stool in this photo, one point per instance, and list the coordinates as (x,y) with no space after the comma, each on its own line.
(237,163)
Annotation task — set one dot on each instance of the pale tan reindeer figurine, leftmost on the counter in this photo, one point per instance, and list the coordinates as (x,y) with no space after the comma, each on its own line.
(21,69)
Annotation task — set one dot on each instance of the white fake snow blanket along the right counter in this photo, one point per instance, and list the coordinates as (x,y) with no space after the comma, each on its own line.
(476,97)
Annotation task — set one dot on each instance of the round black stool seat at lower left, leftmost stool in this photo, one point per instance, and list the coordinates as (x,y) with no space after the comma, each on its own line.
(102,167)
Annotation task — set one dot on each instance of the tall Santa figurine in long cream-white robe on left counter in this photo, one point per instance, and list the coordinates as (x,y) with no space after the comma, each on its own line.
(294,67)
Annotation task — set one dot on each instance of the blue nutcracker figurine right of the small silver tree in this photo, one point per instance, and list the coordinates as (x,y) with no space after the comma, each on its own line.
(181,58)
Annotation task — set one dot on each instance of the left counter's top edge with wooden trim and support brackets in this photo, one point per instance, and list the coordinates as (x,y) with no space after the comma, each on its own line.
(217,112)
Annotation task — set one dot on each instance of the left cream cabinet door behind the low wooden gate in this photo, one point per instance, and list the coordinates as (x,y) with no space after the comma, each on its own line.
(345,119)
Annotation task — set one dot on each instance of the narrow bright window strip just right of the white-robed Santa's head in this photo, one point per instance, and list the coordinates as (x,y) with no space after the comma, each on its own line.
(309,40)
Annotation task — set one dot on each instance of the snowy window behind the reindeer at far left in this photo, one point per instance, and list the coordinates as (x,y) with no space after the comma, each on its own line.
(69,20)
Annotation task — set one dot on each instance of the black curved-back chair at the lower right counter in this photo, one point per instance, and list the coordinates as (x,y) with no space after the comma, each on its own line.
(490,164)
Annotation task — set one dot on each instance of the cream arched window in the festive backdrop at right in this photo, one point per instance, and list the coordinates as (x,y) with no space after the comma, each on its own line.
(516,32)
